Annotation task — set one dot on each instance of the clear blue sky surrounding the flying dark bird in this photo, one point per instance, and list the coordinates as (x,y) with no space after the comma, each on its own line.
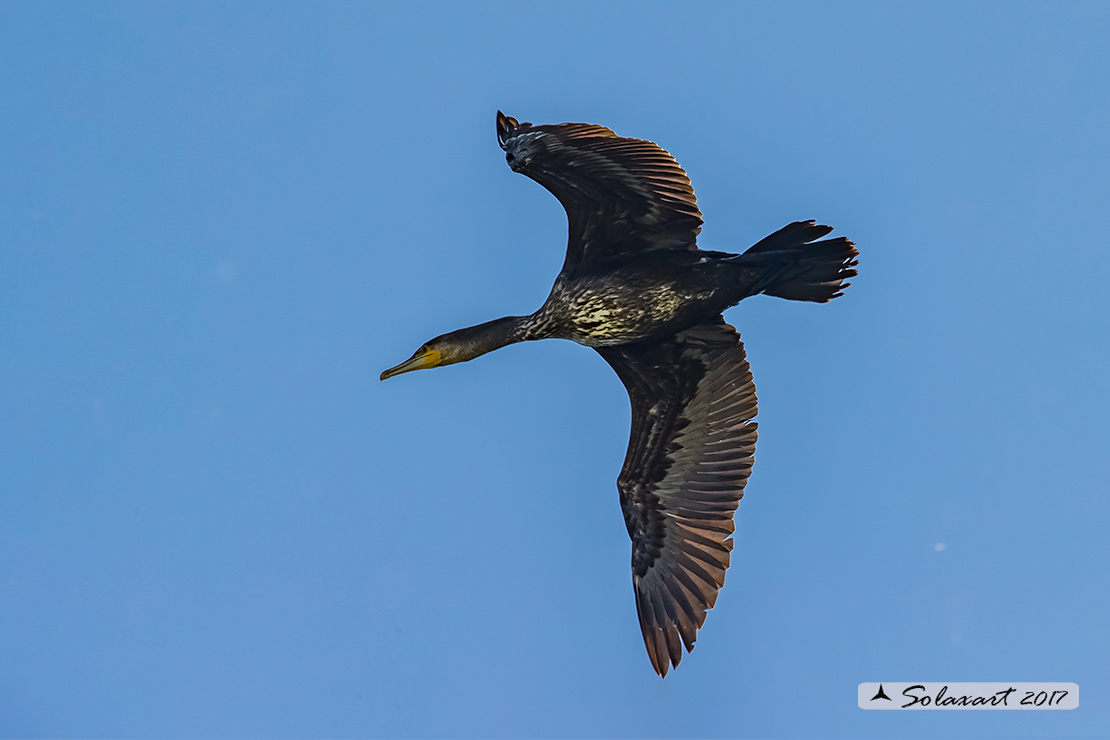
(220,222)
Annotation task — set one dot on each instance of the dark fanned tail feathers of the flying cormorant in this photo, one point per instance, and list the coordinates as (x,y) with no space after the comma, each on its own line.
(804,269)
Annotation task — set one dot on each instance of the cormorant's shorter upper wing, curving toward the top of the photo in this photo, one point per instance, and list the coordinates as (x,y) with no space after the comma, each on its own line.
(620,195)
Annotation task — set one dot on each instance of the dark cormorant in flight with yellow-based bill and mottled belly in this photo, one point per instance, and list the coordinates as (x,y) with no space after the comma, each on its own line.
(637,288)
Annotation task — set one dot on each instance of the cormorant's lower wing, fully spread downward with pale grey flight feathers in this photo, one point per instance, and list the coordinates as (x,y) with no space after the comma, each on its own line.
(690,457)
